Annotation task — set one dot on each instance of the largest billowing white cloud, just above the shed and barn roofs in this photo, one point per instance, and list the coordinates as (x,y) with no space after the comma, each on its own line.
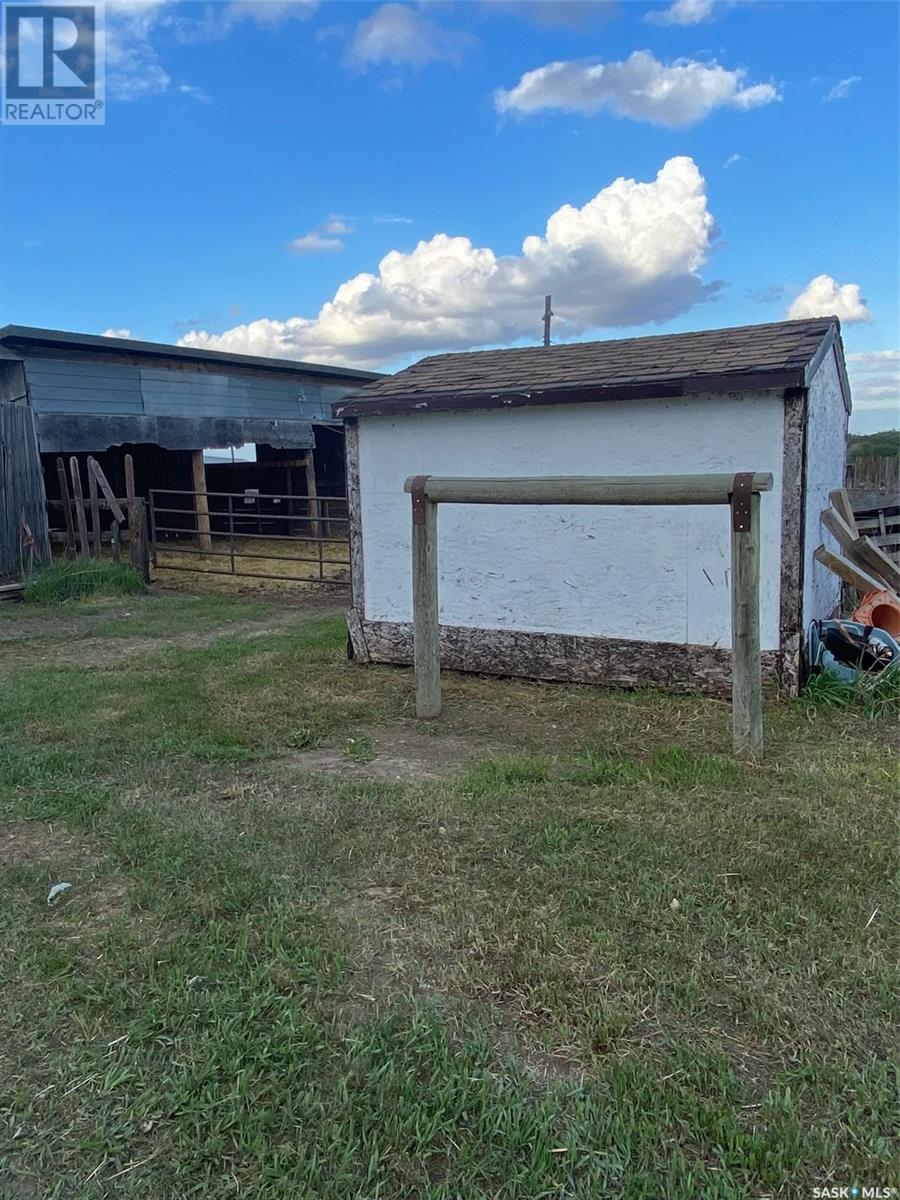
(632,255)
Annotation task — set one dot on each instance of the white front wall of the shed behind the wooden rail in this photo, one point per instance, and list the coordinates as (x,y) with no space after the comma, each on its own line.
(657,574)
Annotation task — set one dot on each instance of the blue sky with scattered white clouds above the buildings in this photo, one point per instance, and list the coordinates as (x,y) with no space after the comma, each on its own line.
(260,163)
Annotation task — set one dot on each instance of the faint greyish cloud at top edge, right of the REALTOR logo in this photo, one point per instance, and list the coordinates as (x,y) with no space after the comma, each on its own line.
(403,37)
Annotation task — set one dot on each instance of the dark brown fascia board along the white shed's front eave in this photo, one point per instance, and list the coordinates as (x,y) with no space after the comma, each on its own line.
(447,403)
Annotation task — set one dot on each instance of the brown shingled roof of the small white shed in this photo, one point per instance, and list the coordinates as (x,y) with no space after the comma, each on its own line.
(783,355)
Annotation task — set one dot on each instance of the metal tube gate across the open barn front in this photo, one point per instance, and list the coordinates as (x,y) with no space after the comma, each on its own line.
(301,539)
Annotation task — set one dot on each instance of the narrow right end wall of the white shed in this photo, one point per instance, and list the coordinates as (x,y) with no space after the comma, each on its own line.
(826,458)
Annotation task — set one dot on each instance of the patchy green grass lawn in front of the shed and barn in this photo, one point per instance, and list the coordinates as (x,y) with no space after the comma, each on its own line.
(556,945)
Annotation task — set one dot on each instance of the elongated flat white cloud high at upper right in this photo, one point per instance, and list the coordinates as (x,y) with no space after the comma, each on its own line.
(676,95)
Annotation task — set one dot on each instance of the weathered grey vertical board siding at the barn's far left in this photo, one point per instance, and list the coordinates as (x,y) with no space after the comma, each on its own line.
(21,487)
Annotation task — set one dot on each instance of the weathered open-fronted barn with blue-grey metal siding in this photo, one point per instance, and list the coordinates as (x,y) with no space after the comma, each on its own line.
(73,394)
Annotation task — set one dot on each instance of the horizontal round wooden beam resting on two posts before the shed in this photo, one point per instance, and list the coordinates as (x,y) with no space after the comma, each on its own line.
(587,489)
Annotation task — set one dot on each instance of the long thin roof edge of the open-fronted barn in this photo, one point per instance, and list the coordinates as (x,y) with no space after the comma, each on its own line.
(23,339)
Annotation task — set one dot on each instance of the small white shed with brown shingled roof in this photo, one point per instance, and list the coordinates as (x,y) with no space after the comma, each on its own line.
(622,596)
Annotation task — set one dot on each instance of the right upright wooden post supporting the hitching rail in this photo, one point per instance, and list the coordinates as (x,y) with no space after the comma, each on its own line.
(747,665)
